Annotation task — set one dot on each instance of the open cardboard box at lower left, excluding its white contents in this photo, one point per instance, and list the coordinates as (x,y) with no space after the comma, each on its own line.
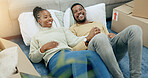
(24,65)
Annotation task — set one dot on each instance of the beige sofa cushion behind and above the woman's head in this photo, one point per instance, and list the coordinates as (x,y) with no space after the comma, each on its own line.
(18,6)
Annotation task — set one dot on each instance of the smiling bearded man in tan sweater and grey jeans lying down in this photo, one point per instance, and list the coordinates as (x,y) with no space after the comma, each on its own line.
(111,48)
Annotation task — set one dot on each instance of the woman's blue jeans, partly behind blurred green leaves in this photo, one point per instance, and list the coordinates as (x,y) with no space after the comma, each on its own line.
(74,64)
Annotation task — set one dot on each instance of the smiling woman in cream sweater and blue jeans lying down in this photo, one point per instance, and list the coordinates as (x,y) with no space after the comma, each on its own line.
(53,45)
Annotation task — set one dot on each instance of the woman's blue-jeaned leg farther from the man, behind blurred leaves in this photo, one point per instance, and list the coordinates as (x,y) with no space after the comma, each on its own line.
(72,63)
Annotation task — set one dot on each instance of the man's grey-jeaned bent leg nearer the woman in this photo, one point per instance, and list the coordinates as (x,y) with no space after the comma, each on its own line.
(101,44)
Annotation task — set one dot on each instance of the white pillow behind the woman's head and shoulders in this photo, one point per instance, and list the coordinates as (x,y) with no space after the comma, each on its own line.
(29,26)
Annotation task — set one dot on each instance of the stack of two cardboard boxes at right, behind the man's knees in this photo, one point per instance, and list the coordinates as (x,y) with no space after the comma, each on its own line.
(131,13)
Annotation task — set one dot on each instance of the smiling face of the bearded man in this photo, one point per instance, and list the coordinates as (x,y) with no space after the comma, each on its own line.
(79,13)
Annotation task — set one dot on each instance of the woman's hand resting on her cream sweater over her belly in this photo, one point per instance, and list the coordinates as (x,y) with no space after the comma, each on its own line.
(48,46)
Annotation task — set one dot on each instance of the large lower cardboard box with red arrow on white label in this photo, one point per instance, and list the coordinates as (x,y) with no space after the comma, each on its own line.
(122,18)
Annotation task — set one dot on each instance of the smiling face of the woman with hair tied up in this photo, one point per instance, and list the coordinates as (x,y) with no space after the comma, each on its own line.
(45,19)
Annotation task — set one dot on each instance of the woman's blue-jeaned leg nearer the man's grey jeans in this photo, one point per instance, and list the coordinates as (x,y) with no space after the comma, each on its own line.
(98,65)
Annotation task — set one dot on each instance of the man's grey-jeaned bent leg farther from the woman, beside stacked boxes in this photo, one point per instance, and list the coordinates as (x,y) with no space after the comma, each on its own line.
(130,39)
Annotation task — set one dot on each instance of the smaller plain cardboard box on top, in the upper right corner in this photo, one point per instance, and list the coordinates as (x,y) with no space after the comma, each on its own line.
(140,8)
